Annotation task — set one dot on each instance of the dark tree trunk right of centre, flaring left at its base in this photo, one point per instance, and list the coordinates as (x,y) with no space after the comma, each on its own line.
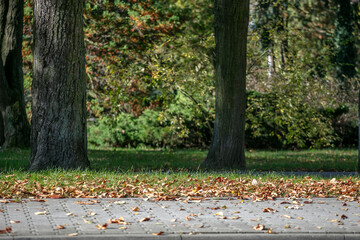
(231,24)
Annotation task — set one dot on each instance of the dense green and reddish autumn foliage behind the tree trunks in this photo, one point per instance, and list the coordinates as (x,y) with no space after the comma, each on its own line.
(150,73)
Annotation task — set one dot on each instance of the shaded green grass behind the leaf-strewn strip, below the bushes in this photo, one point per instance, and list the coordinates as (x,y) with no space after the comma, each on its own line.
(125,160)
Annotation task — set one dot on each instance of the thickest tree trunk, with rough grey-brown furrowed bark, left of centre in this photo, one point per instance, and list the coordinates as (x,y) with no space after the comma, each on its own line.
(58,124)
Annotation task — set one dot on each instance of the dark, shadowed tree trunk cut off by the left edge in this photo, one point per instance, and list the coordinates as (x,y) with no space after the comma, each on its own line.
(14,127)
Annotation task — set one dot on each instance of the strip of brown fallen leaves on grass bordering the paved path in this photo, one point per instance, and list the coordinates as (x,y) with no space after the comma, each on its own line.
(173,187)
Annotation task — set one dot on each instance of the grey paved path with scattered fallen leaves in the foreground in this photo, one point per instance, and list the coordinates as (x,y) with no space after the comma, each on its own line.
(206,219)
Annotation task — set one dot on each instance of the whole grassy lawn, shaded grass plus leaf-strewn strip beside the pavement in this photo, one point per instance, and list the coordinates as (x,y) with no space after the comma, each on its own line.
(172,174)
